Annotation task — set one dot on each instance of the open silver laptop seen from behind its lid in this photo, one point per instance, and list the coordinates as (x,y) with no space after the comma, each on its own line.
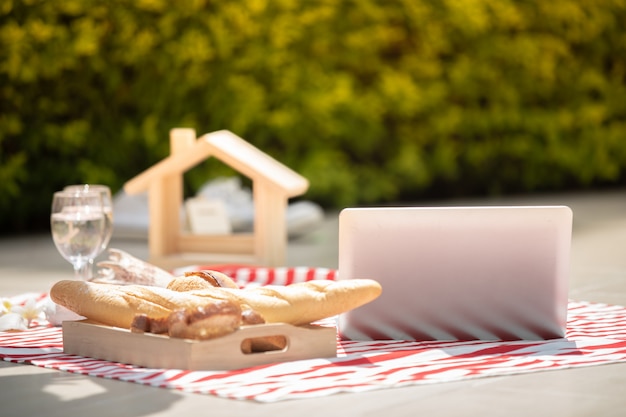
(458,273)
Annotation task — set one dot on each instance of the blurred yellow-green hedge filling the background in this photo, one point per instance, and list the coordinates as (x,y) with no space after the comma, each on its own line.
(373,101)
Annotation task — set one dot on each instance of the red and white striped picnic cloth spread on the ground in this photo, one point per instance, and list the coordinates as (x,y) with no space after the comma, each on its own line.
(596,335)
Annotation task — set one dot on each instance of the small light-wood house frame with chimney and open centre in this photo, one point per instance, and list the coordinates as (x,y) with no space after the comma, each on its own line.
(272,185)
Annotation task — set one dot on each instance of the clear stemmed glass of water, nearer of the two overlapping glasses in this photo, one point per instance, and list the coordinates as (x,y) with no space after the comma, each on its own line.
(77,222)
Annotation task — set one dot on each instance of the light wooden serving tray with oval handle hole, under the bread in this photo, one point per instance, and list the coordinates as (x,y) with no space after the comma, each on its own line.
(158,351)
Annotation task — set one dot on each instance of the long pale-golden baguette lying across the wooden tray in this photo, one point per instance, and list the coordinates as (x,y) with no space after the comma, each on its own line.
(297,304)
